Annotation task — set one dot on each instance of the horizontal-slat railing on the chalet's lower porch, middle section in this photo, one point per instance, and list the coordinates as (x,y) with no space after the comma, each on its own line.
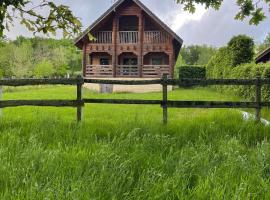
(127,71)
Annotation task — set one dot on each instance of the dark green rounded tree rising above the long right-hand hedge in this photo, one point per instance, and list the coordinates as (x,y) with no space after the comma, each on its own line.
(242,49)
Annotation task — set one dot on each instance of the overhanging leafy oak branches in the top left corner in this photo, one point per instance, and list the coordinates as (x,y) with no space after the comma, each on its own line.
(27,12)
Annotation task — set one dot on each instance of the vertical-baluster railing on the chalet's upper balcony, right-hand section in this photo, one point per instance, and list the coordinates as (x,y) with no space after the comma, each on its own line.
(156,37)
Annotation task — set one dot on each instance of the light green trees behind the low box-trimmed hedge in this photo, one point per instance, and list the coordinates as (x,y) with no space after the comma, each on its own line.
(196,54)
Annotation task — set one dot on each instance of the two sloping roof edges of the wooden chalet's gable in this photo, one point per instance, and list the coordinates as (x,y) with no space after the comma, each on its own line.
(142,6)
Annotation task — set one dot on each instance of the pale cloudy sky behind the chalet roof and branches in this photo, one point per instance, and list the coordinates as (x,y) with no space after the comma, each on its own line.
(209,27)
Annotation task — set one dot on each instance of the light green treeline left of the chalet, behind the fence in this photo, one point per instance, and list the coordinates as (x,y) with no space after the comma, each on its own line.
(38,57)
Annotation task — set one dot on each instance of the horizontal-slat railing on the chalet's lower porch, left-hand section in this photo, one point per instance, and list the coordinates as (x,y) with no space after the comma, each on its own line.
(99,71)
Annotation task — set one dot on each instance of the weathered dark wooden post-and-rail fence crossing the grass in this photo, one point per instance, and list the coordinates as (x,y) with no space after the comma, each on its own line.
(165,103)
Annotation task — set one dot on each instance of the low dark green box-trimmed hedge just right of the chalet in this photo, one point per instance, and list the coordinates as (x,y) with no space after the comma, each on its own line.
(192,72)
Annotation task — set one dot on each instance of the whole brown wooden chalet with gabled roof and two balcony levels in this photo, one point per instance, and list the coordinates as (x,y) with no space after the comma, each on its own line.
(129,41)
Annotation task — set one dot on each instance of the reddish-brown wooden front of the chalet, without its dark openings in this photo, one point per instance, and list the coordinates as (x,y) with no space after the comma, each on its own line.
(139,43)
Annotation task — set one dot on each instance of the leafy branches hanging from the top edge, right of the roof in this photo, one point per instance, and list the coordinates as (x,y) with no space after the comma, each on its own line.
(247,8)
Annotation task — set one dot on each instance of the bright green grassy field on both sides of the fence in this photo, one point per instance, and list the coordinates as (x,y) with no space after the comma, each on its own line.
(124,152)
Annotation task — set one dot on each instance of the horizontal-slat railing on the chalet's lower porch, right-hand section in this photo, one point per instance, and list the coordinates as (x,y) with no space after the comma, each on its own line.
(155,71)
